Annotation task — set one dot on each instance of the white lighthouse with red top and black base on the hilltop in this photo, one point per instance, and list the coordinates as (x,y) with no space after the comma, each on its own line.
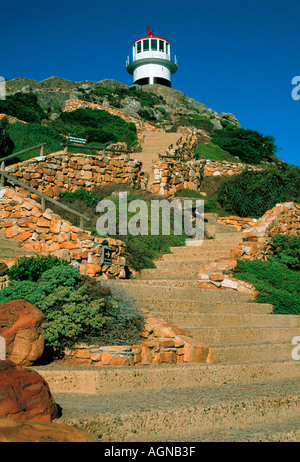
(151,61)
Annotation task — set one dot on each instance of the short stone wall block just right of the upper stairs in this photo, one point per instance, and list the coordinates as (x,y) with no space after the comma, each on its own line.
(172,176)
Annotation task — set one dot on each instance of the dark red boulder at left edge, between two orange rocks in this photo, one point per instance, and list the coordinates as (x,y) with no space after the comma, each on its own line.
(24,394)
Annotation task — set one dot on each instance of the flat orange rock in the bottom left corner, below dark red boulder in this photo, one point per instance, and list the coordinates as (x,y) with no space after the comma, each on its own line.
(19,431)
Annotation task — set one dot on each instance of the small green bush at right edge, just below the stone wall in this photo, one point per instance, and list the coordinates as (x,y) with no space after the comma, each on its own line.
(286,250)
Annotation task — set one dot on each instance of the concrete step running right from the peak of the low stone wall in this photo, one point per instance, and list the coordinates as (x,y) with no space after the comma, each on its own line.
(233,319)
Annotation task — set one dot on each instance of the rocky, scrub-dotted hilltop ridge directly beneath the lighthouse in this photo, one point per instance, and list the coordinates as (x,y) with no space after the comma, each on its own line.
(173,103)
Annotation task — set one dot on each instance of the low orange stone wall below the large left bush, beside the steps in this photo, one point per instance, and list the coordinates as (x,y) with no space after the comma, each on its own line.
(163,344)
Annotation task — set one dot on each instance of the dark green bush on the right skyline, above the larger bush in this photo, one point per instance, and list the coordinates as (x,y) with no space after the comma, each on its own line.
(250,146)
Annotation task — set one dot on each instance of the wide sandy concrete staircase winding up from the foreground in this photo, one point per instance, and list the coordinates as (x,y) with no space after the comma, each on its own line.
(249,393)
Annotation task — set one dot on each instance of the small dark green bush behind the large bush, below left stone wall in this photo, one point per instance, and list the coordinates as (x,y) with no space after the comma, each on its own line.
(31,268)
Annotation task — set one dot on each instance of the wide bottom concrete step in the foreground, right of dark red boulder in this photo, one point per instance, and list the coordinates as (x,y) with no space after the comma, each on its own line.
(168,415)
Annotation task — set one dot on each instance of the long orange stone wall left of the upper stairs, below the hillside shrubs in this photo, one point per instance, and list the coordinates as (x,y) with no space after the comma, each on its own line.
(61,171)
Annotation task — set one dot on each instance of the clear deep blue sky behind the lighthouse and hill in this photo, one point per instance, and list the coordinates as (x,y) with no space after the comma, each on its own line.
(235,56)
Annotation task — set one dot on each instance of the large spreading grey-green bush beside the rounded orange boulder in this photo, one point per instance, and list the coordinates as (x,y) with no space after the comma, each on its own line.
(75,309)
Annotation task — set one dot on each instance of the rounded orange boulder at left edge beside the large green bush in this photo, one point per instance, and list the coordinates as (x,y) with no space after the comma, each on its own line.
(21,327)
